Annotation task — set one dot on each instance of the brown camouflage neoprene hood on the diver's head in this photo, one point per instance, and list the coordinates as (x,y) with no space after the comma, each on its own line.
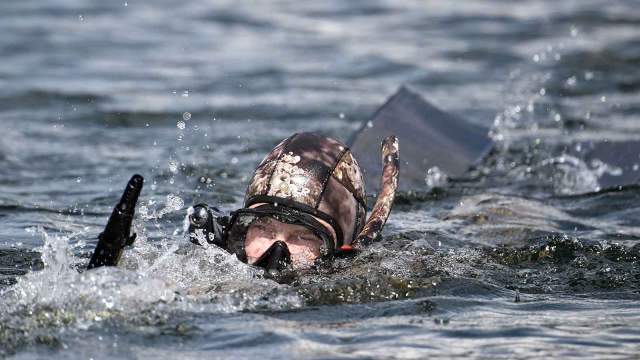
(317,175)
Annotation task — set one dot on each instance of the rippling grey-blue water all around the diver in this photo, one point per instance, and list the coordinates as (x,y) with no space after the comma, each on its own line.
(193,94)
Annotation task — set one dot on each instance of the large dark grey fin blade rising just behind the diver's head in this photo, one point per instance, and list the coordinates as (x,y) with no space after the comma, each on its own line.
(429,137)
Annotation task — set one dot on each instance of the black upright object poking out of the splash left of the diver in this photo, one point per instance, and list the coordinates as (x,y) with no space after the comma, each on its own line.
(116,236)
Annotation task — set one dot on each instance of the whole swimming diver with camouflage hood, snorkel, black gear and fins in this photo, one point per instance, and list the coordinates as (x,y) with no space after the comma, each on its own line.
(306,201)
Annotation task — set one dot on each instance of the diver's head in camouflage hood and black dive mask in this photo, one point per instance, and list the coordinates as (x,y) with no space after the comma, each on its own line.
(308,192)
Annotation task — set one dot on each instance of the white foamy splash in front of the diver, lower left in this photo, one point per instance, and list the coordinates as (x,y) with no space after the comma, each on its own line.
(154,279)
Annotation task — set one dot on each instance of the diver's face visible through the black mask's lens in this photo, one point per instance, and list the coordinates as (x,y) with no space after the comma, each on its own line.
(303,244)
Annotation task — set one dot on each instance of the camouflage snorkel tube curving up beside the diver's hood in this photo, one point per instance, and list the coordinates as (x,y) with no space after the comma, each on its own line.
(388,184)
